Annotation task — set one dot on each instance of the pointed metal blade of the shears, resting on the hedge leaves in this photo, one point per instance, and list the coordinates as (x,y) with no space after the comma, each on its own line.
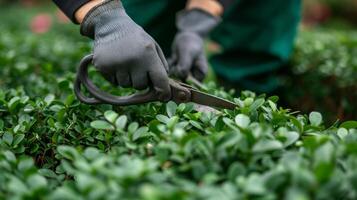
(210,100)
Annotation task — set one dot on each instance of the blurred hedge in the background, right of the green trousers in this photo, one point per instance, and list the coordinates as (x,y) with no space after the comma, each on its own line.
(324,71)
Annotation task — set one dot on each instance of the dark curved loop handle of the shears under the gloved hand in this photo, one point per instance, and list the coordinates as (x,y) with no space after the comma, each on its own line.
(100,97)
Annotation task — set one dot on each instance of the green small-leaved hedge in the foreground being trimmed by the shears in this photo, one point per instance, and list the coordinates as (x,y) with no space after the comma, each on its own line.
(53,147)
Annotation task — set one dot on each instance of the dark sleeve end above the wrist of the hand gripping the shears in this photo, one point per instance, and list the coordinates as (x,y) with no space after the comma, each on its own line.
(69,7)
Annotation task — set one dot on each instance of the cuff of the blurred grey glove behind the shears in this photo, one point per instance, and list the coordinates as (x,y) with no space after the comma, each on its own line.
(197,21)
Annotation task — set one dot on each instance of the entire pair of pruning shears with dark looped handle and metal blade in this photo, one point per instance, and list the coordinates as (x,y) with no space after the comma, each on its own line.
(181,92)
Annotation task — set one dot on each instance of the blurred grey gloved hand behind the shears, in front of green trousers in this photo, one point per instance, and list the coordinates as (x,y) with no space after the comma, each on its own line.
(188,53)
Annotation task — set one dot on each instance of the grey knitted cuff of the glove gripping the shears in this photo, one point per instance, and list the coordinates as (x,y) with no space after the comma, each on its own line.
(99,16)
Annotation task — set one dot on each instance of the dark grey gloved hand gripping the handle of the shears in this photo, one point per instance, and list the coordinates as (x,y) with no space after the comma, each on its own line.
(123,52)
